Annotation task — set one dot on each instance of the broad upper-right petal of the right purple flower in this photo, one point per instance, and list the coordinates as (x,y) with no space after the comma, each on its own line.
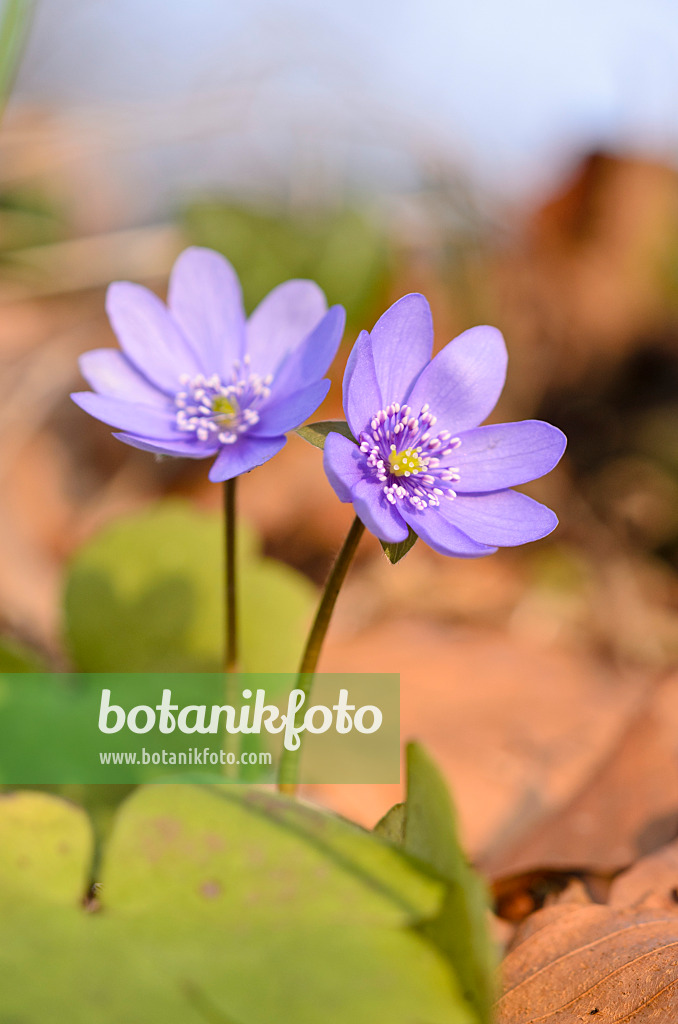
(464,381)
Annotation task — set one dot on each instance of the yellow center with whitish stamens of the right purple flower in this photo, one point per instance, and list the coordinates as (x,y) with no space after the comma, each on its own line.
(409,457)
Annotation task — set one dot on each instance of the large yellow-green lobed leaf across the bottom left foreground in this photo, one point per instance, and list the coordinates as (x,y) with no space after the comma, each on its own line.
(223,908)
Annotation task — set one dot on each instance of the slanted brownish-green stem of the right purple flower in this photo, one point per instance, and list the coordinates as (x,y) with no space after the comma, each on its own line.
(289,770)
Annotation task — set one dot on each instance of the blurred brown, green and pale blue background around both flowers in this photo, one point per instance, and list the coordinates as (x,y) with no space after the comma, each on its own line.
(516,163)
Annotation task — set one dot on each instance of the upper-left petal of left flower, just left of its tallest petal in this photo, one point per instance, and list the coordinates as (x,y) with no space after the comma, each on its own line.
(149,336)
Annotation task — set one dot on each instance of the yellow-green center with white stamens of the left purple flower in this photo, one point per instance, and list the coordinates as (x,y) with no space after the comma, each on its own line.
(217,410)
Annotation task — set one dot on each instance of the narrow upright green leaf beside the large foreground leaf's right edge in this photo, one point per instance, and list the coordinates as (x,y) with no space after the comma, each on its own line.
(461,928)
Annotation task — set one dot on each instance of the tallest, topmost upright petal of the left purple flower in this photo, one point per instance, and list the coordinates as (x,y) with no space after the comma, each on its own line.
(206,302)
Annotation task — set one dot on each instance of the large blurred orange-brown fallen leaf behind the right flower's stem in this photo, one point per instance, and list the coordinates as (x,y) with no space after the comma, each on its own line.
(517,730)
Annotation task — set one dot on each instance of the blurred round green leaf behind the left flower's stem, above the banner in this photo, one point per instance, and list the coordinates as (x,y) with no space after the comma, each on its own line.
(146,594)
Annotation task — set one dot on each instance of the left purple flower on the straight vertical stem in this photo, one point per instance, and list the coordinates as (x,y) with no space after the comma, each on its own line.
(196,379)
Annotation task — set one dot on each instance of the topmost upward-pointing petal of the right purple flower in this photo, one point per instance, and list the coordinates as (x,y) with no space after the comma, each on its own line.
(402,346)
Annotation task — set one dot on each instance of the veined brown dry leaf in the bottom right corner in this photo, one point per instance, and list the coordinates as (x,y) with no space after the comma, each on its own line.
(578,963)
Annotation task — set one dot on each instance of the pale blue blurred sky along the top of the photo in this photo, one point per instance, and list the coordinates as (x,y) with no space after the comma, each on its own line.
(512,92)
